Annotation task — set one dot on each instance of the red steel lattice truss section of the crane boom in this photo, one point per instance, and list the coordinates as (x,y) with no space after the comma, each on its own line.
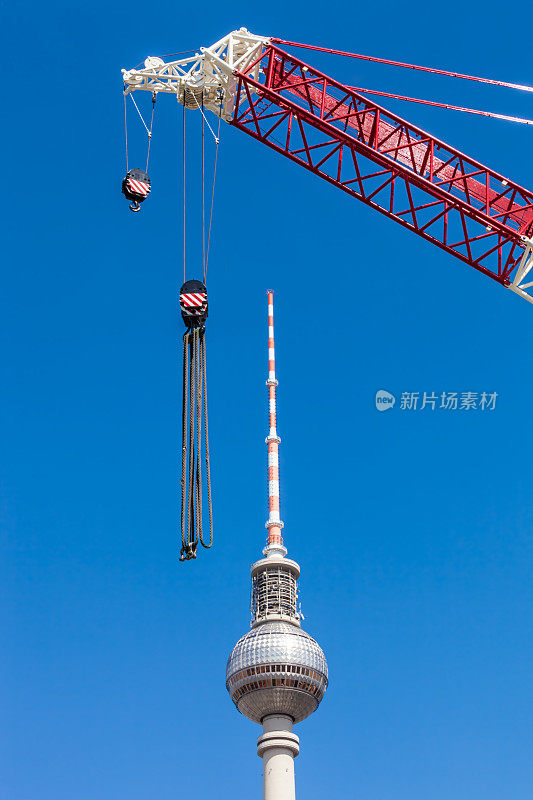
(392,166)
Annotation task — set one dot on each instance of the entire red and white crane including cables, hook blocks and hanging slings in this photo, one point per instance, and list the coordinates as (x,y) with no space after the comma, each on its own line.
(336,132)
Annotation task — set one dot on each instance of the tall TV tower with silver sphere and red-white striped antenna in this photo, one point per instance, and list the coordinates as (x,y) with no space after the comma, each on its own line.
(276,674)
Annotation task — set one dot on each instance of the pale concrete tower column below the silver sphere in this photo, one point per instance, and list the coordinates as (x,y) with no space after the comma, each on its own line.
(278,747)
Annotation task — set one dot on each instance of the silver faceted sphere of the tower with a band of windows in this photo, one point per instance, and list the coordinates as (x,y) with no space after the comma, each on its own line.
(276,668)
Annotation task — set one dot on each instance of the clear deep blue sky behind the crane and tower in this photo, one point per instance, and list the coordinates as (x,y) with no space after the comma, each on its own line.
(413,528)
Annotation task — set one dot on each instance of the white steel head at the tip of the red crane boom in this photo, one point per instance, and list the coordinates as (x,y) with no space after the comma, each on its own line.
(207,77)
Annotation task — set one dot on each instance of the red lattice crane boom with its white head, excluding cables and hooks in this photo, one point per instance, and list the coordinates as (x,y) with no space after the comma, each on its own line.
(331,129)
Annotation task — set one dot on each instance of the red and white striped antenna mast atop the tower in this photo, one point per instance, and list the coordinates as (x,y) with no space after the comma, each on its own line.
(274,523)
